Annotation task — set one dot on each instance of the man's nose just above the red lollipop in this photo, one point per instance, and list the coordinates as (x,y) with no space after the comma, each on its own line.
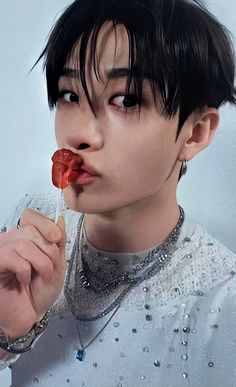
(83,131)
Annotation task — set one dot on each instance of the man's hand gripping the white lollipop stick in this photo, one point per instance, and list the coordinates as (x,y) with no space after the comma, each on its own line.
(32,271)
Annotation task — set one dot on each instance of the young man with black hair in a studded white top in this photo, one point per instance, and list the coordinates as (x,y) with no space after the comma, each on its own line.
(148,296)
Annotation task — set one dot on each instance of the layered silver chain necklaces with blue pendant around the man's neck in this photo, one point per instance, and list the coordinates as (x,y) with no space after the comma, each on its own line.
(154,262)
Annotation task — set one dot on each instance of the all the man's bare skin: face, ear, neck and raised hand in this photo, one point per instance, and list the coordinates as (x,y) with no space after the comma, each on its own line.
(131,206)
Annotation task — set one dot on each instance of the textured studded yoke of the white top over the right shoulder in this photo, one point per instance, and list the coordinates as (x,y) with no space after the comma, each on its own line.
(199,264)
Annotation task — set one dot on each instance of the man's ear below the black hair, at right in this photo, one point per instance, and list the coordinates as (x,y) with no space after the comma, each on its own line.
(200,130)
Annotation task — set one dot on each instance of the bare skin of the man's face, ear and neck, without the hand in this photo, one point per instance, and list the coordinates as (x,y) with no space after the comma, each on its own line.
(132,205)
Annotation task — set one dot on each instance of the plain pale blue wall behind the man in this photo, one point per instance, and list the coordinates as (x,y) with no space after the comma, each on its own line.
(208,192)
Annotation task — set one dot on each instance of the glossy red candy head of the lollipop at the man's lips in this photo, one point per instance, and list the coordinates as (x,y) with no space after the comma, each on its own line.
(64,161)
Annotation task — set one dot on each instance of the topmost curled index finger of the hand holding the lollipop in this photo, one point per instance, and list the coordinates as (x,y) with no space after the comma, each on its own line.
(46,226)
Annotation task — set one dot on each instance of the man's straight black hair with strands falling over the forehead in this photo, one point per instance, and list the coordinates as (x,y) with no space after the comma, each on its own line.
(178,45)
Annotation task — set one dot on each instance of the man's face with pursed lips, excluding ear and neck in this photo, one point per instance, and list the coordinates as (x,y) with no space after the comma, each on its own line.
(132,153)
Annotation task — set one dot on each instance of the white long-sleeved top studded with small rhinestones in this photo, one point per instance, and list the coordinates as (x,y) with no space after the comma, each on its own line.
(176,329)
